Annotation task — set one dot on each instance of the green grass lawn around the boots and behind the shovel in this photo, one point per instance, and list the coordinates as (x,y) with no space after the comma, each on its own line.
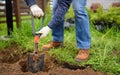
(102,57)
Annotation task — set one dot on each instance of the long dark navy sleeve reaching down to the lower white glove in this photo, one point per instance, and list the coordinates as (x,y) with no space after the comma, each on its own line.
(58,17)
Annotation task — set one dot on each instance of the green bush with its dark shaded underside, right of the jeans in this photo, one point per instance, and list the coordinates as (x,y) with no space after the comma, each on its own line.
(106,19)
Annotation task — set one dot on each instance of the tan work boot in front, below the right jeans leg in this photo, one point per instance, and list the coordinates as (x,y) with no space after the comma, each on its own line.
(82,55)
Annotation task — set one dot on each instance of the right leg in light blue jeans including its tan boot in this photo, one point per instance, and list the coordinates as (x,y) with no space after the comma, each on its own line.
(82,29)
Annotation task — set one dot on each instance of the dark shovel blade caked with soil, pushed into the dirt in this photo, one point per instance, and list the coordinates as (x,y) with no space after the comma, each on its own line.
(35,62)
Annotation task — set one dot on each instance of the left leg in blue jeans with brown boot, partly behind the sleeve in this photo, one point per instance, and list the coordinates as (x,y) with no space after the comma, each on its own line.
(57,32)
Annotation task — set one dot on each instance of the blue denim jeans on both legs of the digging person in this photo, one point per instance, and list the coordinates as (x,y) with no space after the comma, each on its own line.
(83,38)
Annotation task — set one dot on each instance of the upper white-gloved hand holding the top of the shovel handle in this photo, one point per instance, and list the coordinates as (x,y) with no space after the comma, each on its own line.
(36,11)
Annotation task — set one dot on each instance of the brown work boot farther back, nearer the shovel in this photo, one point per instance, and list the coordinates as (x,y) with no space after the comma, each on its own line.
(52,45)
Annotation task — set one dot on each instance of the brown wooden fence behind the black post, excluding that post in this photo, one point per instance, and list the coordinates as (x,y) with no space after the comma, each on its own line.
(19,8)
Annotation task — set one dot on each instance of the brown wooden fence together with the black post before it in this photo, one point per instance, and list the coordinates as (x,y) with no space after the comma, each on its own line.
(16,8)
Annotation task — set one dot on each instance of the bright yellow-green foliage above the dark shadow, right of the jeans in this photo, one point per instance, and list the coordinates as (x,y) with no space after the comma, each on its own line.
(112,15)
